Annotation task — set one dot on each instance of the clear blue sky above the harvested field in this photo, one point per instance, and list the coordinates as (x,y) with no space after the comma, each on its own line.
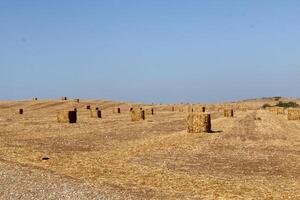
(150,50)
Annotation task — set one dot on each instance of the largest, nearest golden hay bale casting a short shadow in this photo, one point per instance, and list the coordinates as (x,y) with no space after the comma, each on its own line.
(198,123)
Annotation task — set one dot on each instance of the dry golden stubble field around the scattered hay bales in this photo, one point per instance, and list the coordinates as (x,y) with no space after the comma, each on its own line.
(114,158)
